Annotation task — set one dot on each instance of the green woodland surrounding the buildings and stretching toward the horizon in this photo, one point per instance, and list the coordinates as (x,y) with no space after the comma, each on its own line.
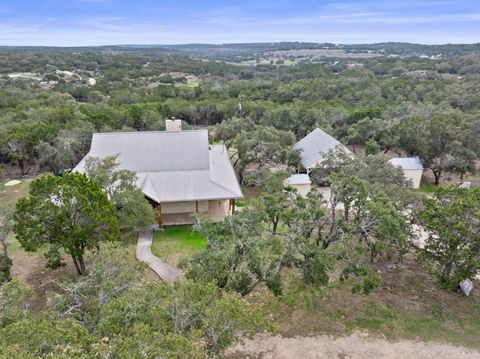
(351,239)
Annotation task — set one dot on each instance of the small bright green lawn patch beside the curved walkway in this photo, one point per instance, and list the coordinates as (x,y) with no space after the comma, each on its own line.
(175,243)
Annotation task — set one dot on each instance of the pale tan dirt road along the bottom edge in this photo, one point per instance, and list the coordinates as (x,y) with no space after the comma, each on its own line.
(356,346)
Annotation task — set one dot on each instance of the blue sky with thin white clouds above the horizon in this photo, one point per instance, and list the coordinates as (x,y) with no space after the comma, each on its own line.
(103,22)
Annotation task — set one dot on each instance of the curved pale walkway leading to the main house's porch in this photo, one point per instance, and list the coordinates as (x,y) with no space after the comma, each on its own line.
(144,254)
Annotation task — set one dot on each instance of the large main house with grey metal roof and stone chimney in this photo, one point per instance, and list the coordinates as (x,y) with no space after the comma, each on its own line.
(178,171)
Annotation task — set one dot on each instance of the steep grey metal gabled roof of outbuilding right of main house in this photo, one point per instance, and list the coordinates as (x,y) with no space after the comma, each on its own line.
(314,146)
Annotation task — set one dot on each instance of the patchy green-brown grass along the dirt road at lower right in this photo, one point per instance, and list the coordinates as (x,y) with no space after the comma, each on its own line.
(407,305)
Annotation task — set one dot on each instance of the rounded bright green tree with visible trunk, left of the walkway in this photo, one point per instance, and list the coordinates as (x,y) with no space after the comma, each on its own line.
(71,213)
